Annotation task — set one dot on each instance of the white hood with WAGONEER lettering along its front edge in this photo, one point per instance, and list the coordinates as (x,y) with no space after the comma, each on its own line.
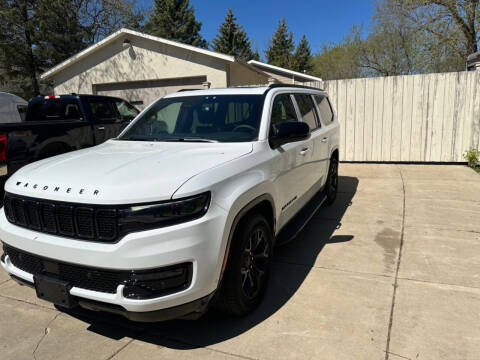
(121,172)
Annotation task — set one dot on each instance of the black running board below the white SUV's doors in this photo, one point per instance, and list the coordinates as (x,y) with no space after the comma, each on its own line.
(298,222)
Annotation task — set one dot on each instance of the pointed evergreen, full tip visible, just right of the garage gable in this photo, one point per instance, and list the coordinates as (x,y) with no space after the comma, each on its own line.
(232,39)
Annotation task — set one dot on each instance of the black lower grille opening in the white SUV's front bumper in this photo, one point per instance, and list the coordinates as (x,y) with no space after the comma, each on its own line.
(141,284)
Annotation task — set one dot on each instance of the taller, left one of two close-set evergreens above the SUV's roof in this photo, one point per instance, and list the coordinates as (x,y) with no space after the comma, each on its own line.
(279,53)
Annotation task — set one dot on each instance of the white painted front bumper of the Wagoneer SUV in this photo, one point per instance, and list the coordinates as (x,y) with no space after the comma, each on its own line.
(199,242)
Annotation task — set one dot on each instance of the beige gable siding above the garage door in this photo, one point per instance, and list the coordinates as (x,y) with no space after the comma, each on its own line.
(145,60)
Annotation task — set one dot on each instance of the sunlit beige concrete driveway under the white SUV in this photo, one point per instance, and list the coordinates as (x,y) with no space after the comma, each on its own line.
(390,271)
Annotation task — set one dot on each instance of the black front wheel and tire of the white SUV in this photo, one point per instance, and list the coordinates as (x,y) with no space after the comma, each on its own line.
(248,267)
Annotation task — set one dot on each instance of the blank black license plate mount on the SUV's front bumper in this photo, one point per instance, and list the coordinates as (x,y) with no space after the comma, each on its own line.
(54,290)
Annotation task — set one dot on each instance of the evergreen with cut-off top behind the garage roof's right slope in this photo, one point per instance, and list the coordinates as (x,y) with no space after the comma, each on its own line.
(175,20)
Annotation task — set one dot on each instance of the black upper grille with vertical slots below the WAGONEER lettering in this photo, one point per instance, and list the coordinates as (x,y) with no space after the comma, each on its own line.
(96,223)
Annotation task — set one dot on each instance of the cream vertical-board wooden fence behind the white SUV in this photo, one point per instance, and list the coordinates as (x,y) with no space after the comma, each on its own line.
(426,118)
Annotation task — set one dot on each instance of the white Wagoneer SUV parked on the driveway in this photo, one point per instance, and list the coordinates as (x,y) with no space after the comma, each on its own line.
(182,210)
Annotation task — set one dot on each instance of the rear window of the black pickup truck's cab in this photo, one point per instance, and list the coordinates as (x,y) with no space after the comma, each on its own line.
(41,109)
